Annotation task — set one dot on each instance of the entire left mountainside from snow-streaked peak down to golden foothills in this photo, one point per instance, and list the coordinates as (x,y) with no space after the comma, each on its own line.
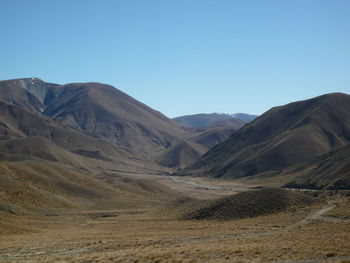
(69,146)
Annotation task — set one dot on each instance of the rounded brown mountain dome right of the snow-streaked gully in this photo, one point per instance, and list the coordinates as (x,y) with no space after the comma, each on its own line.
(102,111)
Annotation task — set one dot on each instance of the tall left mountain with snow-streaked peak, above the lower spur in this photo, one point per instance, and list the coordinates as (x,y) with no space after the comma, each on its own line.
(97,111)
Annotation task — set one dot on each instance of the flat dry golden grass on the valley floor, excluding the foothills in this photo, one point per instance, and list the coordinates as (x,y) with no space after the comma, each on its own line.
(319,232)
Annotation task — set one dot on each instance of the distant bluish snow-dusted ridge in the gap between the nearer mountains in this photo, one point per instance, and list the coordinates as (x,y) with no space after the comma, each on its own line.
(203,120)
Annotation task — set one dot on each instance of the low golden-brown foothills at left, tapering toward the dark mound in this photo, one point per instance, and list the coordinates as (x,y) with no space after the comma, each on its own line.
(34,186)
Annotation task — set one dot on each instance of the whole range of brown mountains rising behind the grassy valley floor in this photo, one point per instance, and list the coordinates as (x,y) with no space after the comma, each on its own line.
(93,128)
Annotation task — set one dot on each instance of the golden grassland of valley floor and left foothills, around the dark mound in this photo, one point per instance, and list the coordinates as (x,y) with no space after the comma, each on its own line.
(119,219)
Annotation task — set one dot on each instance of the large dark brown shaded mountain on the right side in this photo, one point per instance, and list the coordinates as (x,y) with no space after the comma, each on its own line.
(281,137)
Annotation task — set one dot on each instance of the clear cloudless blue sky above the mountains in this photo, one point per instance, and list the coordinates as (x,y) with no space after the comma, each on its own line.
(183,56)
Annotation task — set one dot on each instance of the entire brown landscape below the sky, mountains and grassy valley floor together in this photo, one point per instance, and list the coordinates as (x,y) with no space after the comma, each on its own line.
(89,174)
